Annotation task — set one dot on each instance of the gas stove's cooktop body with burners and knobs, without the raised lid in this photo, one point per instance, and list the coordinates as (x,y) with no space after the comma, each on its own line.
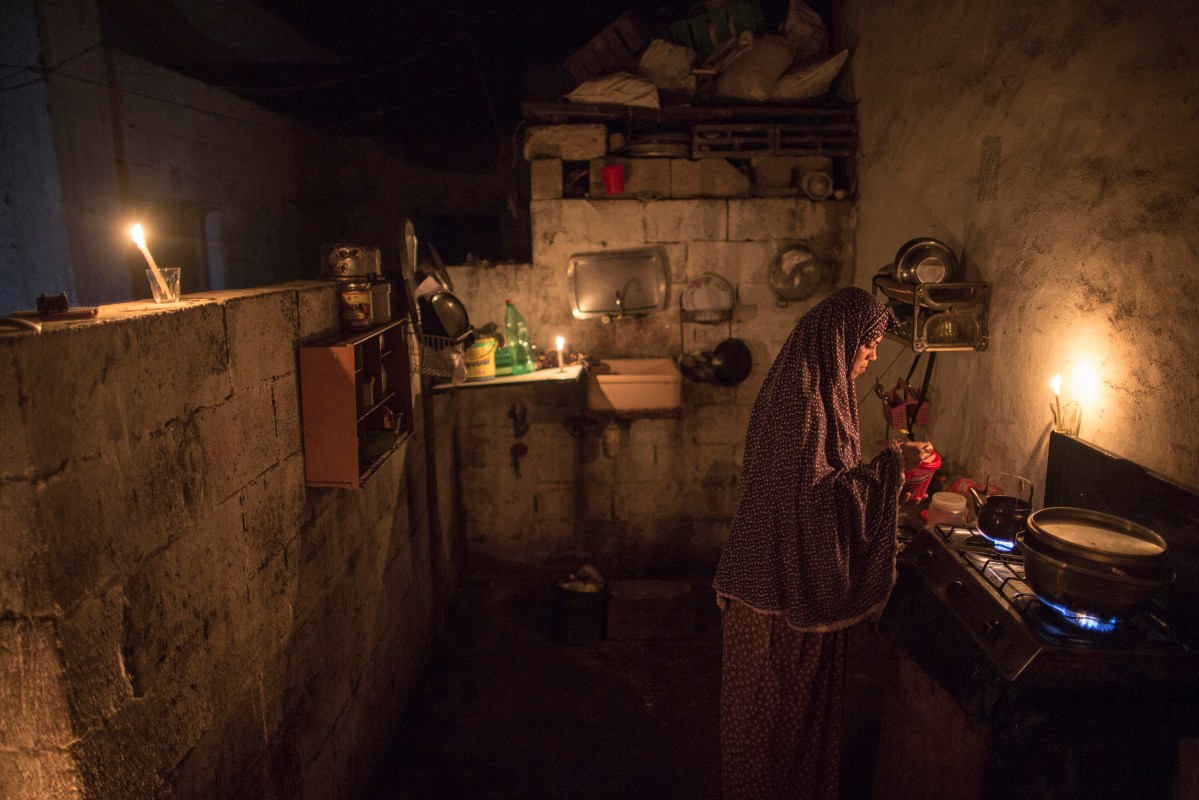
(981,586)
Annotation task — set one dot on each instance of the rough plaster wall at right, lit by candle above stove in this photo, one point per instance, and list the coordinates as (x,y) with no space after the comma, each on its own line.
(1053,152)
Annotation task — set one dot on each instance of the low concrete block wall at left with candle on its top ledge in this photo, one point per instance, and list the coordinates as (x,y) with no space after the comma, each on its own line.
(179,615)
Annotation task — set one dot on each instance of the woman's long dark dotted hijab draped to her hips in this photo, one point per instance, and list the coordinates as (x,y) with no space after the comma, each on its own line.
(815,532)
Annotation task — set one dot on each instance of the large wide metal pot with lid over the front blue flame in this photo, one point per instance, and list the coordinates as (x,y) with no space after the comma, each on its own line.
(1089,562)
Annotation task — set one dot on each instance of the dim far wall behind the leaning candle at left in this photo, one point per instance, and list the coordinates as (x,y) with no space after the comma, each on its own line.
(107,140)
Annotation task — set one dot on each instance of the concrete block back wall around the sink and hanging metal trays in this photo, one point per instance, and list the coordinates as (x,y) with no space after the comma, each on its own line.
(667,495)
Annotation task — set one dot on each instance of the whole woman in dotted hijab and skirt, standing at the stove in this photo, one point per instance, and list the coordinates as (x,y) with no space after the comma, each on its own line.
(812,551)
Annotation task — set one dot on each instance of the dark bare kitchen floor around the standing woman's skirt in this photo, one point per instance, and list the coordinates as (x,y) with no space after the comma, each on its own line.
(505,712)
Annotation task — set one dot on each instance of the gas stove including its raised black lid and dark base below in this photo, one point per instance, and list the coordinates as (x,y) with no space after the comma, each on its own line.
(1047,702)
